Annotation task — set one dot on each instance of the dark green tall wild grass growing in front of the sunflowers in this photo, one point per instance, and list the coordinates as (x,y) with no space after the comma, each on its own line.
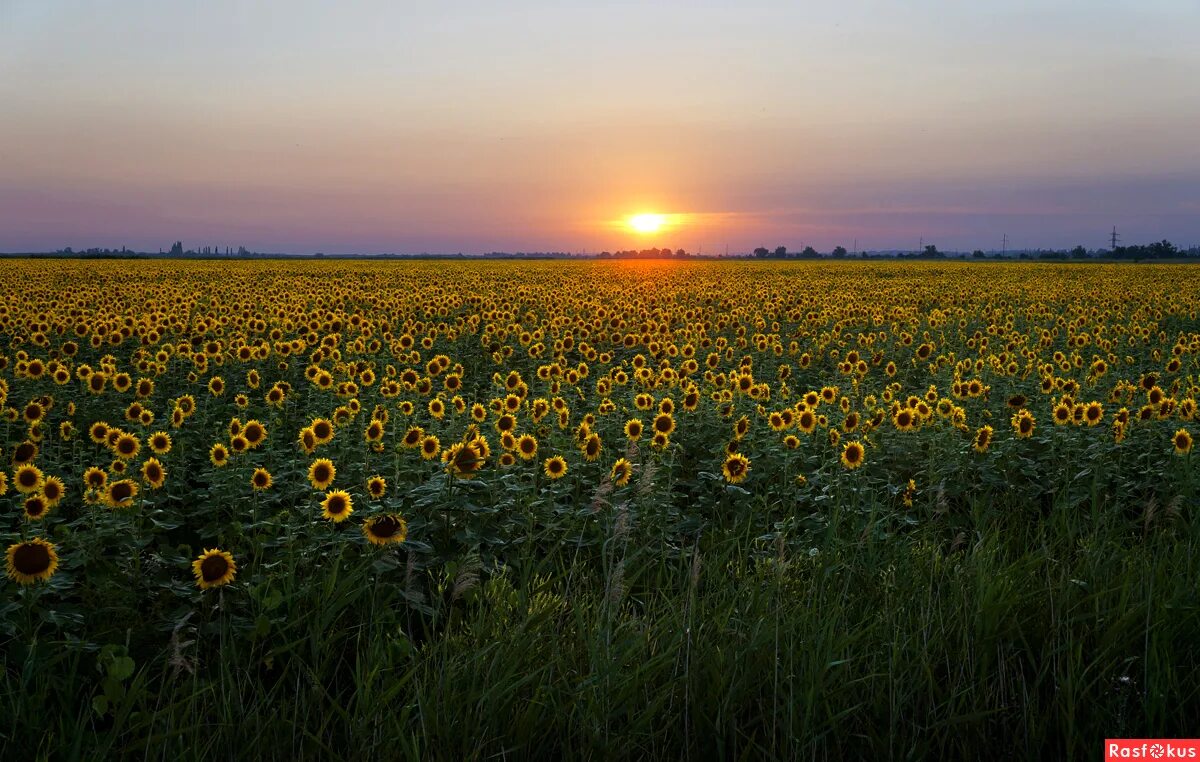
(982,634)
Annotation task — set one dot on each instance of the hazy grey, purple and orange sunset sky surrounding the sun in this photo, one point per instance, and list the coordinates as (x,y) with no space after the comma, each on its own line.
(380,127)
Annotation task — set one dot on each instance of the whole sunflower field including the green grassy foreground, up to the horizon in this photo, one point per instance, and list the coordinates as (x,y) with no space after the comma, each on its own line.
(463,511)
